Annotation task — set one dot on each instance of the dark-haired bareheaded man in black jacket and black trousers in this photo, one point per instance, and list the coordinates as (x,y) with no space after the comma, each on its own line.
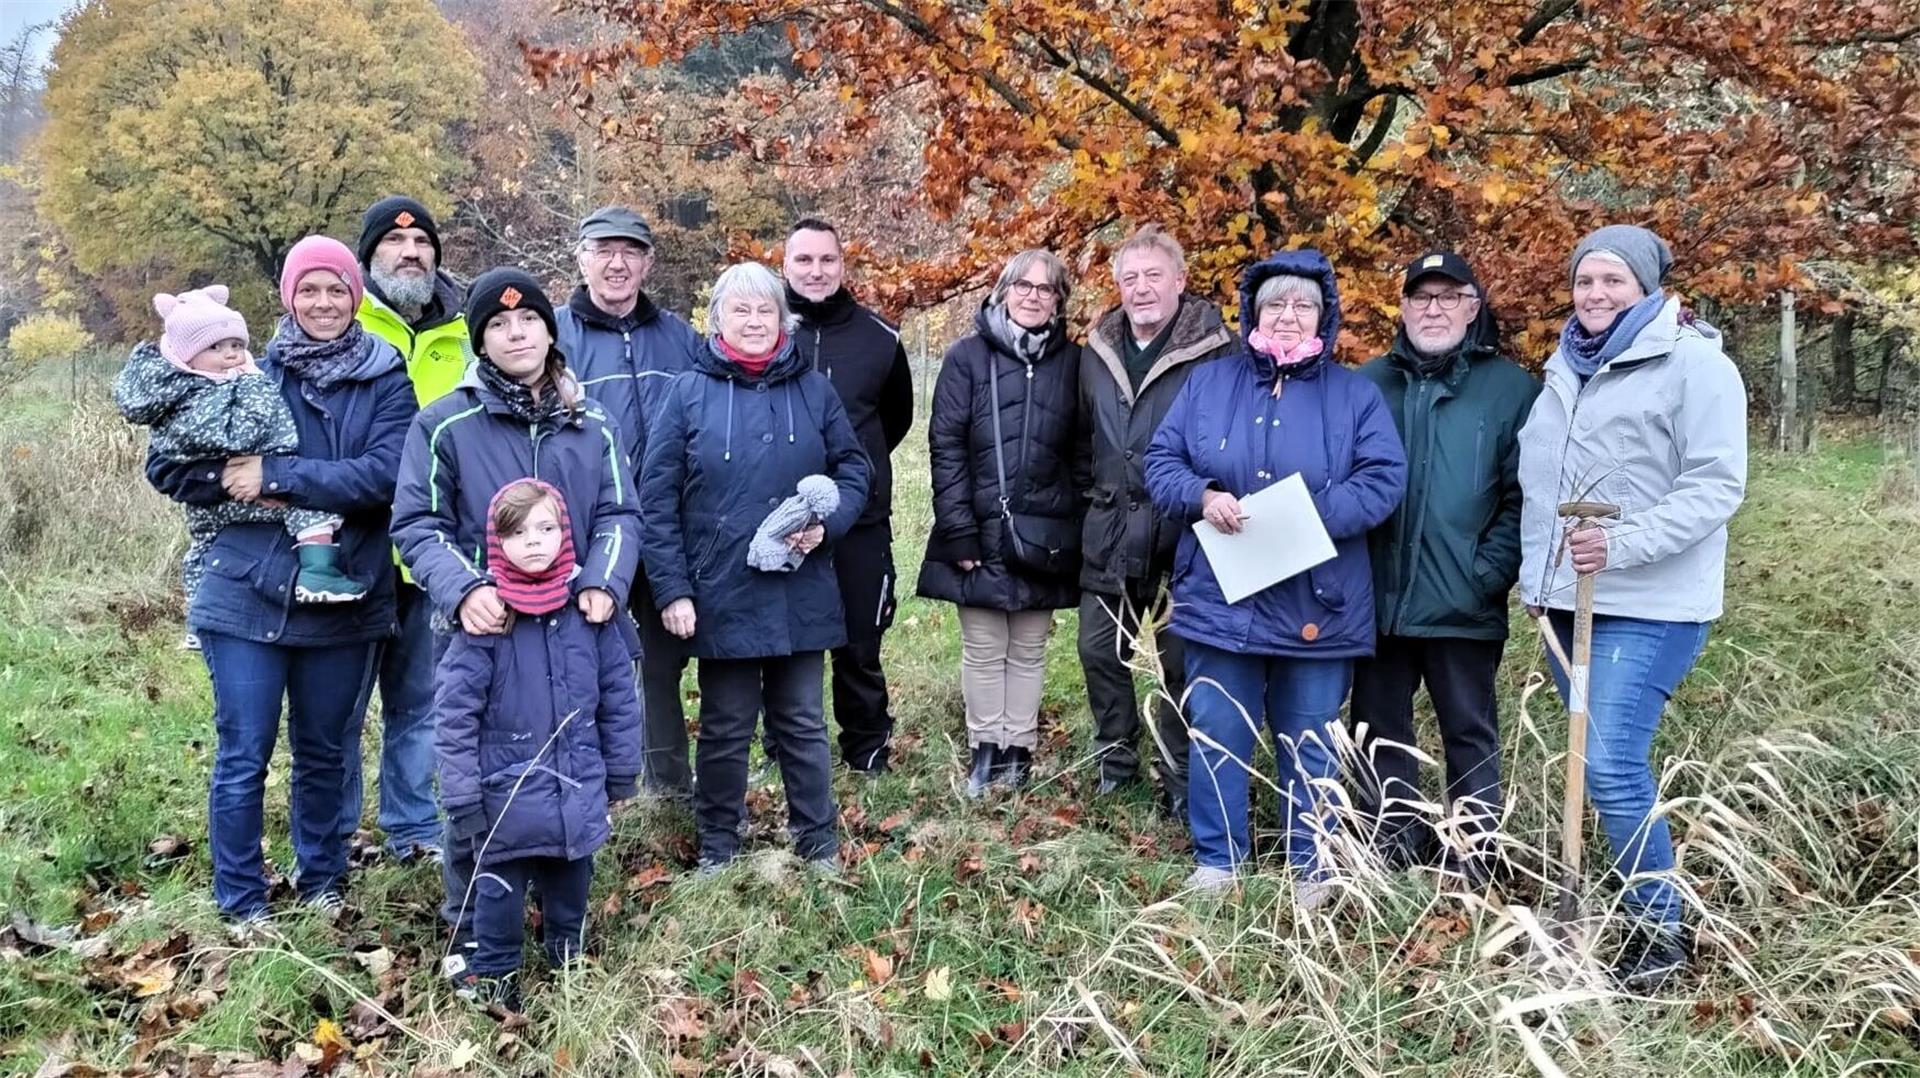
(863,356)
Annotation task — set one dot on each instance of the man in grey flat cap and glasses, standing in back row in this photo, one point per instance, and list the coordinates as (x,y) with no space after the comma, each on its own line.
(627,351)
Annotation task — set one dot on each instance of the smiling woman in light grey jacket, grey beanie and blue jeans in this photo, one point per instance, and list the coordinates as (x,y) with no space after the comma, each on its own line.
(1646,412)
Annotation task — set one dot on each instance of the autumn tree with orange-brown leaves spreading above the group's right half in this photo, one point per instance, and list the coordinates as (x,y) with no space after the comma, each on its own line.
(1750,134)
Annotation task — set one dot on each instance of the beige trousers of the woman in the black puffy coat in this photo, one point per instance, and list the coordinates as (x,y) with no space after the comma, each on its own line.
(1003,672)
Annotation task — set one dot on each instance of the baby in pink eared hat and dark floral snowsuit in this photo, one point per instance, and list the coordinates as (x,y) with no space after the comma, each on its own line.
(201,397)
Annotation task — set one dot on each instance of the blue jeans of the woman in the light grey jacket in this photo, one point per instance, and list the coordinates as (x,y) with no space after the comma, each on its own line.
(1637,666)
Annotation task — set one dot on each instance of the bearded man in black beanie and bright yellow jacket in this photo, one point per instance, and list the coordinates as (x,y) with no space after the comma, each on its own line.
(416,306)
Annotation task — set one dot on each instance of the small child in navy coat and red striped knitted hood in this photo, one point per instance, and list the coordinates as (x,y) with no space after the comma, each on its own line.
(539,733)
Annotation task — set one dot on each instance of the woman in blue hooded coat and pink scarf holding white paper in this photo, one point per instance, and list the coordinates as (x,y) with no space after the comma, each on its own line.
(1282,658)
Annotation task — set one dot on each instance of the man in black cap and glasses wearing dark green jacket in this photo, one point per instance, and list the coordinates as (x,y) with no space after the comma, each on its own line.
(1443,566)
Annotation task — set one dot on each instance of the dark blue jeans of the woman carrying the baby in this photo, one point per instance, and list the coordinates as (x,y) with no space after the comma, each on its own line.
(325,693)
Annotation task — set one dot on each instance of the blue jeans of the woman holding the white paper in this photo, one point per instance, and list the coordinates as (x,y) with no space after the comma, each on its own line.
(1297,700)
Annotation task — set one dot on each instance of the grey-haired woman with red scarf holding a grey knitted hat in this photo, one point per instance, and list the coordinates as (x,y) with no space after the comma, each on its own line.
(732,441)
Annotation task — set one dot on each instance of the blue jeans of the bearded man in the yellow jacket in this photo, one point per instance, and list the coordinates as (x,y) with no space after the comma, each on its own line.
(410,816)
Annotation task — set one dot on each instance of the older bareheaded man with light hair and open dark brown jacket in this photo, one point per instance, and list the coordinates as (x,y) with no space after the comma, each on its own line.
(1138,360)
